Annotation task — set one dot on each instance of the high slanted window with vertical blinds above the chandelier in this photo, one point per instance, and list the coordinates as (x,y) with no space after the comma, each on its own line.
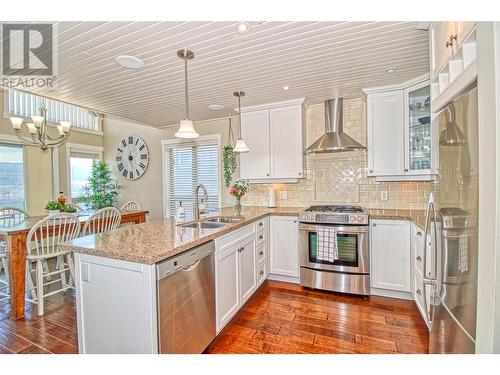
(24,104)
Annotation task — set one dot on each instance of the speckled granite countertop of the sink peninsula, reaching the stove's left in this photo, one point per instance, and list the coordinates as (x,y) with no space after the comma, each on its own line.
(157,240)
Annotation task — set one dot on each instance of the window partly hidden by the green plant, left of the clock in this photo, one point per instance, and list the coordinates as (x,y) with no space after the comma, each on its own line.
(80,168)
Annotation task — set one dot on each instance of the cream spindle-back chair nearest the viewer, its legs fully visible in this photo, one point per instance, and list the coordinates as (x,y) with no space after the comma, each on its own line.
(42,245)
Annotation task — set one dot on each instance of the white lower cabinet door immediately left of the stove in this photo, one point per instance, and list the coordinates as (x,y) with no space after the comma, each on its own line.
(284,243)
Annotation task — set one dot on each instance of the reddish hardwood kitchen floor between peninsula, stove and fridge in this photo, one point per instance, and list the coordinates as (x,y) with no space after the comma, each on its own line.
(286,318)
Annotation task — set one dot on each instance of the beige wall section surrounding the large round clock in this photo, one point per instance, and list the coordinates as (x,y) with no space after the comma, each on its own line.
(148,189)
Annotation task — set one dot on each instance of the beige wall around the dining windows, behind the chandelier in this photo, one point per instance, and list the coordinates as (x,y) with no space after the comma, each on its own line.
(38,164)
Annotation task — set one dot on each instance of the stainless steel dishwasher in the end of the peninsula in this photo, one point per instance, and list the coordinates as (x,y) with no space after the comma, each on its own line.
(186,301)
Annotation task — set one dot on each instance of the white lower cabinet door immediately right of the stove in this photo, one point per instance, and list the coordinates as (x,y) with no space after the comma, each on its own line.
(390,255)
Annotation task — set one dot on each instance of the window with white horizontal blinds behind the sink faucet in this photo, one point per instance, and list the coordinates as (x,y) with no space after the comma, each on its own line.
(186,165)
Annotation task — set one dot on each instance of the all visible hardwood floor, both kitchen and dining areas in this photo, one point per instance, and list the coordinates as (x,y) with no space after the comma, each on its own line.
(279,318)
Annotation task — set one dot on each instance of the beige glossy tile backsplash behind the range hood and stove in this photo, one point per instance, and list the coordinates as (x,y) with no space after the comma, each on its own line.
(342,177)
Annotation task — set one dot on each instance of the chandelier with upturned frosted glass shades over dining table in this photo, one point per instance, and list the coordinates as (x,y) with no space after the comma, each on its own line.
(38,131)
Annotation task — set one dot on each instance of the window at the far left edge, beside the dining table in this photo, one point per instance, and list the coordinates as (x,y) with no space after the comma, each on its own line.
(11,177)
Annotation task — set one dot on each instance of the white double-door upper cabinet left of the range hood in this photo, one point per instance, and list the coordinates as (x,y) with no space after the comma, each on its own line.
(275,135)
